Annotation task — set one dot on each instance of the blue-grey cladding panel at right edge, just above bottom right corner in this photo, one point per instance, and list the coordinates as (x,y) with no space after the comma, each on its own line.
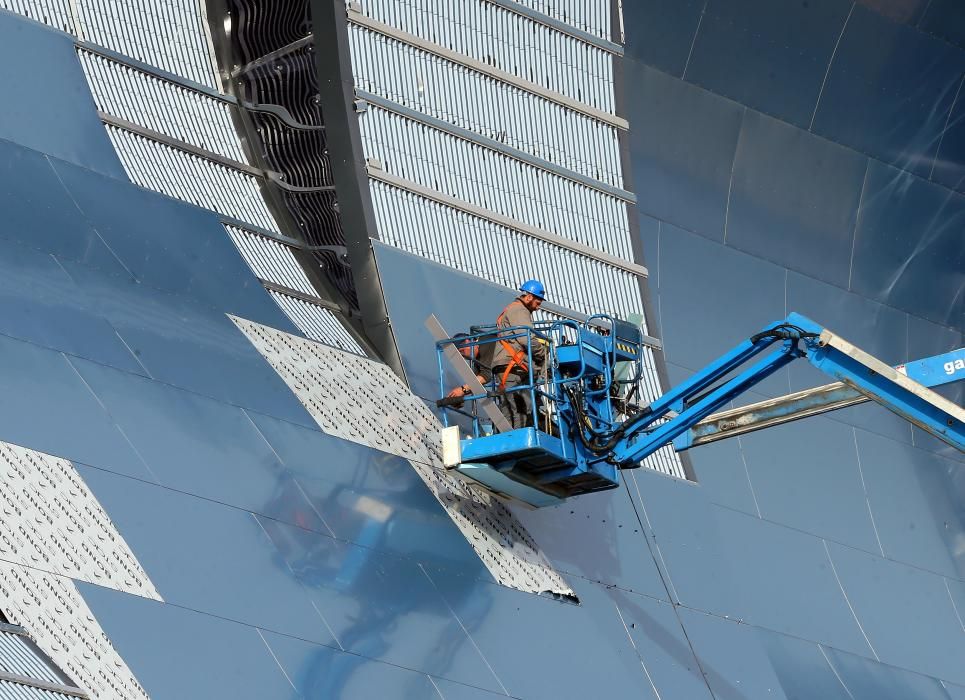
(906,613)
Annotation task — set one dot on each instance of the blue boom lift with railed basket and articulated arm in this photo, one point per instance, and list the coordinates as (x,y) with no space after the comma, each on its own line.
(588,424)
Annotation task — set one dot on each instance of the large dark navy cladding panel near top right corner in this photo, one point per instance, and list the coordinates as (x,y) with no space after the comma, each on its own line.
(889,90)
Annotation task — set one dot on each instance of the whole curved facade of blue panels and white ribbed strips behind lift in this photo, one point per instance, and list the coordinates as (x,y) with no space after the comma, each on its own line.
(223,226)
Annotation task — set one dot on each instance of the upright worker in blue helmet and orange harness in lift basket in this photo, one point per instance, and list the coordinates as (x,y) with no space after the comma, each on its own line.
(511,355)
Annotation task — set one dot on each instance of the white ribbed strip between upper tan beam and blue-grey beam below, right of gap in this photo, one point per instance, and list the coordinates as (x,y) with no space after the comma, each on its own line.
(479,103)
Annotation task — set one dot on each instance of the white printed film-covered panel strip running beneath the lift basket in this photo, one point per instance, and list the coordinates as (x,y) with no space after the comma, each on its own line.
(362,401)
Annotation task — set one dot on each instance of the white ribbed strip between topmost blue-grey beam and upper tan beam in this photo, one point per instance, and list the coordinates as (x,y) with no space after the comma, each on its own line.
(508,41)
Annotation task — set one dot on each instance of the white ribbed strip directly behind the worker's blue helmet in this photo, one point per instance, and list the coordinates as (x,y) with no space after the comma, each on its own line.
(499,254)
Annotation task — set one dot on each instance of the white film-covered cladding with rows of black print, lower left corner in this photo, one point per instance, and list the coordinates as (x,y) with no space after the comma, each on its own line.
(54,530)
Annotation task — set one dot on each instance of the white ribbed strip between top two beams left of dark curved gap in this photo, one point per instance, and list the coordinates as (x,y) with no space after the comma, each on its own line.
(162,106)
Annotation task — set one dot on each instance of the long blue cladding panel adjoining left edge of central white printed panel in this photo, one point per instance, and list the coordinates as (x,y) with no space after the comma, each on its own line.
(192,346)
